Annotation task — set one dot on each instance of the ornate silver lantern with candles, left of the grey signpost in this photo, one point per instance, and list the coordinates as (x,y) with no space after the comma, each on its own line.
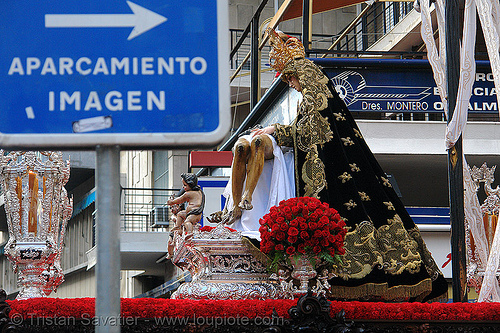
(37,209)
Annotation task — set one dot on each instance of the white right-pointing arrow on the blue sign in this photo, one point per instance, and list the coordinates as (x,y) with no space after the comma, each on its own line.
(142,20)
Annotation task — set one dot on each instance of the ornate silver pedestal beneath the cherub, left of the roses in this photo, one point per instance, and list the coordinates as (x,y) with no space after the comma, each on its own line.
(222,267)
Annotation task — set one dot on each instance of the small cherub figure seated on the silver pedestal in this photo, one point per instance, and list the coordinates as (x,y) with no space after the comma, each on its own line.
(195,199)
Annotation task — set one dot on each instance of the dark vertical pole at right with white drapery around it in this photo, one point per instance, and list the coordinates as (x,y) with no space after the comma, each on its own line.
(455,165)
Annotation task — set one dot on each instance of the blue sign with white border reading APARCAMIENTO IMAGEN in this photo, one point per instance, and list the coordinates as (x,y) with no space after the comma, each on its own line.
(141,73)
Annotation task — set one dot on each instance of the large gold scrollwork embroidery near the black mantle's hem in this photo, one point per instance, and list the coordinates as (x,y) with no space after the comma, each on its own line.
(389,246)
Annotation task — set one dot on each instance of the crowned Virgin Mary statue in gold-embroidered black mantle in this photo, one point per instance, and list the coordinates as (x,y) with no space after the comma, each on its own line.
(386,258)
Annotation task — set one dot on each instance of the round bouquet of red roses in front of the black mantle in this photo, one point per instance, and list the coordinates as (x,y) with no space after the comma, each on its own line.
(302,226)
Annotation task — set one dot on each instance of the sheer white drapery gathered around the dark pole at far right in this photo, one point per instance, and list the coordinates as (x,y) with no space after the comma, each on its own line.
(489,14)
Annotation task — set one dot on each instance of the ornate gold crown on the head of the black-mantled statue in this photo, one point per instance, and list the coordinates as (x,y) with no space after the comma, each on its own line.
(282,53)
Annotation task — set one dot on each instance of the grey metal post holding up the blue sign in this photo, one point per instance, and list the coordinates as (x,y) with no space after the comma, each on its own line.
(107,303)
